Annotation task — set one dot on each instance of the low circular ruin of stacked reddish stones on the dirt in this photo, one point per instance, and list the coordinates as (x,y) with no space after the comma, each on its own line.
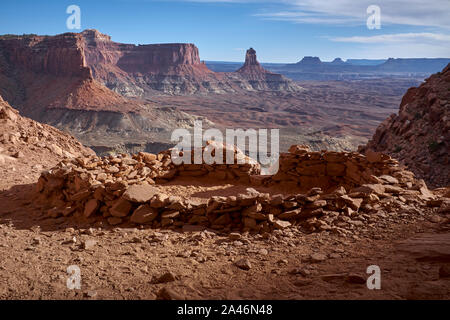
(316,191)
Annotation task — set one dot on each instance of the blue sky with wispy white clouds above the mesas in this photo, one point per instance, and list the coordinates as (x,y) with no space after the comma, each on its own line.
(280,31)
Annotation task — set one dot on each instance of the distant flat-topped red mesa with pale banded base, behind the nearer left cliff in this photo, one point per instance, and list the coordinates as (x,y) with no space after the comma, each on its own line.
(146,70)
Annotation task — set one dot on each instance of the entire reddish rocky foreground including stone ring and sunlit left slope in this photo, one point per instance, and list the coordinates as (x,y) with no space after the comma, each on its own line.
(143,227)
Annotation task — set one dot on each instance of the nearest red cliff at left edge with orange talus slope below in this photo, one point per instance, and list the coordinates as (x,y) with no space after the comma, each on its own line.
(38,73)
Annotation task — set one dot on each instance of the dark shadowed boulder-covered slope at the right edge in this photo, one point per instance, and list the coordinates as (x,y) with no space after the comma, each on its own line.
(419,135)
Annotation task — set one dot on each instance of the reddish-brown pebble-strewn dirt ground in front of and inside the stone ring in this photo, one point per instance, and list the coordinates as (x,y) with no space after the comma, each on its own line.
(139,263)
